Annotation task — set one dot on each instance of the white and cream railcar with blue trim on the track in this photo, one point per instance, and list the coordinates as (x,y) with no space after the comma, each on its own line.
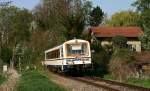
(72,53)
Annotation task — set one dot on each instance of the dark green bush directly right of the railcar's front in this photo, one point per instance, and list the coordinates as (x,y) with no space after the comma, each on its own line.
(100,59)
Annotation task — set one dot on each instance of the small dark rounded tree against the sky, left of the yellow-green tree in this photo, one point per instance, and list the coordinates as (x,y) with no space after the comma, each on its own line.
(96,16)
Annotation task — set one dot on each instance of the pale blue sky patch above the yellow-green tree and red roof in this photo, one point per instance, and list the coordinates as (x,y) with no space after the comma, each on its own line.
(112,6)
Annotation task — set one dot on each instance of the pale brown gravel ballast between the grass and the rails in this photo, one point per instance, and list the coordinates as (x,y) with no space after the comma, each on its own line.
(73,85)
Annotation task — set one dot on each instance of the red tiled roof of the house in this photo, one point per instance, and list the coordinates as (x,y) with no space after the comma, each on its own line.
(113,31)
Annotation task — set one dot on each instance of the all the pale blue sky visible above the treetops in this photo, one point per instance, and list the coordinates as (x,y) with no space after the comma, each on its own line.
(108,6)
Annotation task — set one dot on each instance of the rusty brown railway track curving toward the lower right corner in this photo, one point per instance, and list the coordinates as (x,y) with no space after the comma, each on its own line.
(107,85)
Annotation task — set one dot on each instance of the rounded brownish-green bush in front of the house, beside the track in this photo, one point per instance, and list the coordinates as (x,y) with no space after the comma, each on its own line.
(122,64)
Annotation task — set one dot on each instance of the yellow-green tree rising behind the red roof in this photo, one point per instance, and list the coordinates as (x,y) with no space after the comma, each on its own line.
(124,18)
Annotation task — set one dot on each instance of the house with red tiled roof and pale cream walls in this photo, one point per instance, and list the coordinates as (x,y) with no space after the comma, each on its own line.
(105,34)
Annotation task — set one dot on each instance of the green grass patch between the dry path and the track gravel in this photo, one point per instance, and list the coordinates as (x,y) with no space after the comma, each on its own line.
(36,81)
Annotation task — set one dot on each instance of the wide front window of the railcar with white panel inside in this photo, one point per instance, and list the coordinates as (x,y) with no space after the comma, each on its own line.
(76,49)
